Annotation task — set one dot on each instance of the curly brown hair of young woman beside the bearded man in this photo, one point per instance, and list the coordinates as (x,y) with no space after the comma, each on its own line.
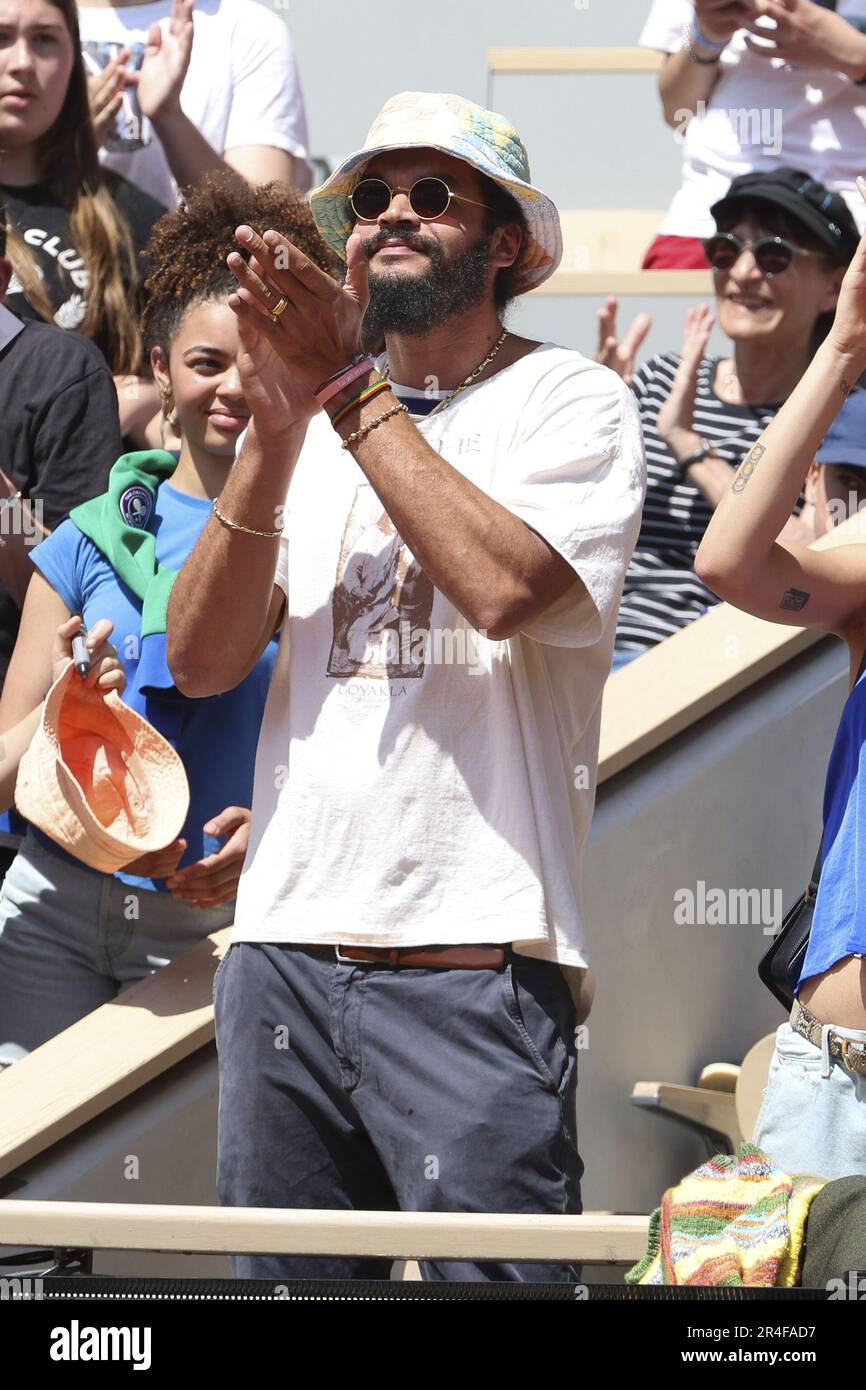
(188,248)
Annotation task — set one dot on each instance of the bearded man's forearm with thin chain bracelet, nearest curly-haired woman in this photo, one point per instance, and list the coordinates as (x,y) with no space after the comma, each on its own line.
(220,601)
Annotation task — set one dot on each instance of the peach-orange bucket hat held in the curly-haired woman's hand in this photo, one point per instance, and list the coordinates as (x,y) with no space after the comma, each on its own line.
(99,779)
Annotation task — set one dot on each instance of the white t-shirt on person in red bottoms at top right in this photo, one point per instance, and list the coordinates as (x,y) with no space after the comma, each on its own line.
(764,113)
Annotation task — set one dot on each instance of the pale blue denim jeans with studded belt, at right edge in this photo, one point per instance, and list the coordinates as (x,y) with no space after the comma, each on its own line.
(808,1122)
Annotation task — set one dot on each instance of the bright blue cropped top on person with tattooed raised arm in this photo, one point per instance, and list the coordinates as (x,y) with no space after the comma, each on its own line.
(839,924)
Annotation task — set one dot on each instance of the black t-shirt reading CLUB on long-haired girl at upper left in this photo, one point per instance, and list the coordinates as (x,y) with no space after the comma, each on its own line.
(44,226)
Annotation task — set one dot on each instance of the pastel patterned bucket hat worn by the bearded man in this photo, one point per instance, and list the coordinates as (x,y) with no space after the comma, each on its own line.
(451,124)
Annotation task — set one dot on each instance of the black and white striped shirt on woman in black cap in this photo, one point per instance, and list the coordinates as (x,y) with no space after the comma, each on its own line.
(662,591)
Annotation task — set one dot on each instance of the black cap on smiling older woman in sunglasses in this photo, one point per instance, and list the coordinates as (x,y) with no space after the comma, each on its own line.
(826,215)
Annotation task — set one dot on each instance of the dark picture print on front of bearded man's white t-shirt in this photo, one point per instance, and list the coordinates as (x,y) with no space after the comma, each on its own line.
(383,600)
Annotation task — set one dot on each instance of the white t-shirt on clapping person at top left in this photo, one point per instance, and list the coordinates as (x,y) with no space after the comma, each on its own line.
(243,85)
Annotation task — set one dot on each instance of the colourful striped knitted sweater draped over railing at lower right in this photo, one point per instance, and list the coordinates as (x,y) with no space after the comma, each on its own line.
(737,1220)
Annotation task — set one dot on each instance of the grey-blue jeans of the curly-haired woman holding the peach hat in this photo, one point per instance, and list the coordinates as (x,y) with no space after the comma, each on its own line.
(72,940)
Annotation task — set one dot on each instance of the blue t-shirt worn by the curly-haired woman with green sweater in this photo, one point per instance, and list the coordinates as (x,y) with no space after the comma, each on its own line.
(216,737)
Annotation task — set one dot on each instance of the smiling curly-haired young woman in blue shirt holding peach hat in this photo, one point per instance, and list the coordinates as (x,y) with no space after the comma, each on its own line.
(72,938)
